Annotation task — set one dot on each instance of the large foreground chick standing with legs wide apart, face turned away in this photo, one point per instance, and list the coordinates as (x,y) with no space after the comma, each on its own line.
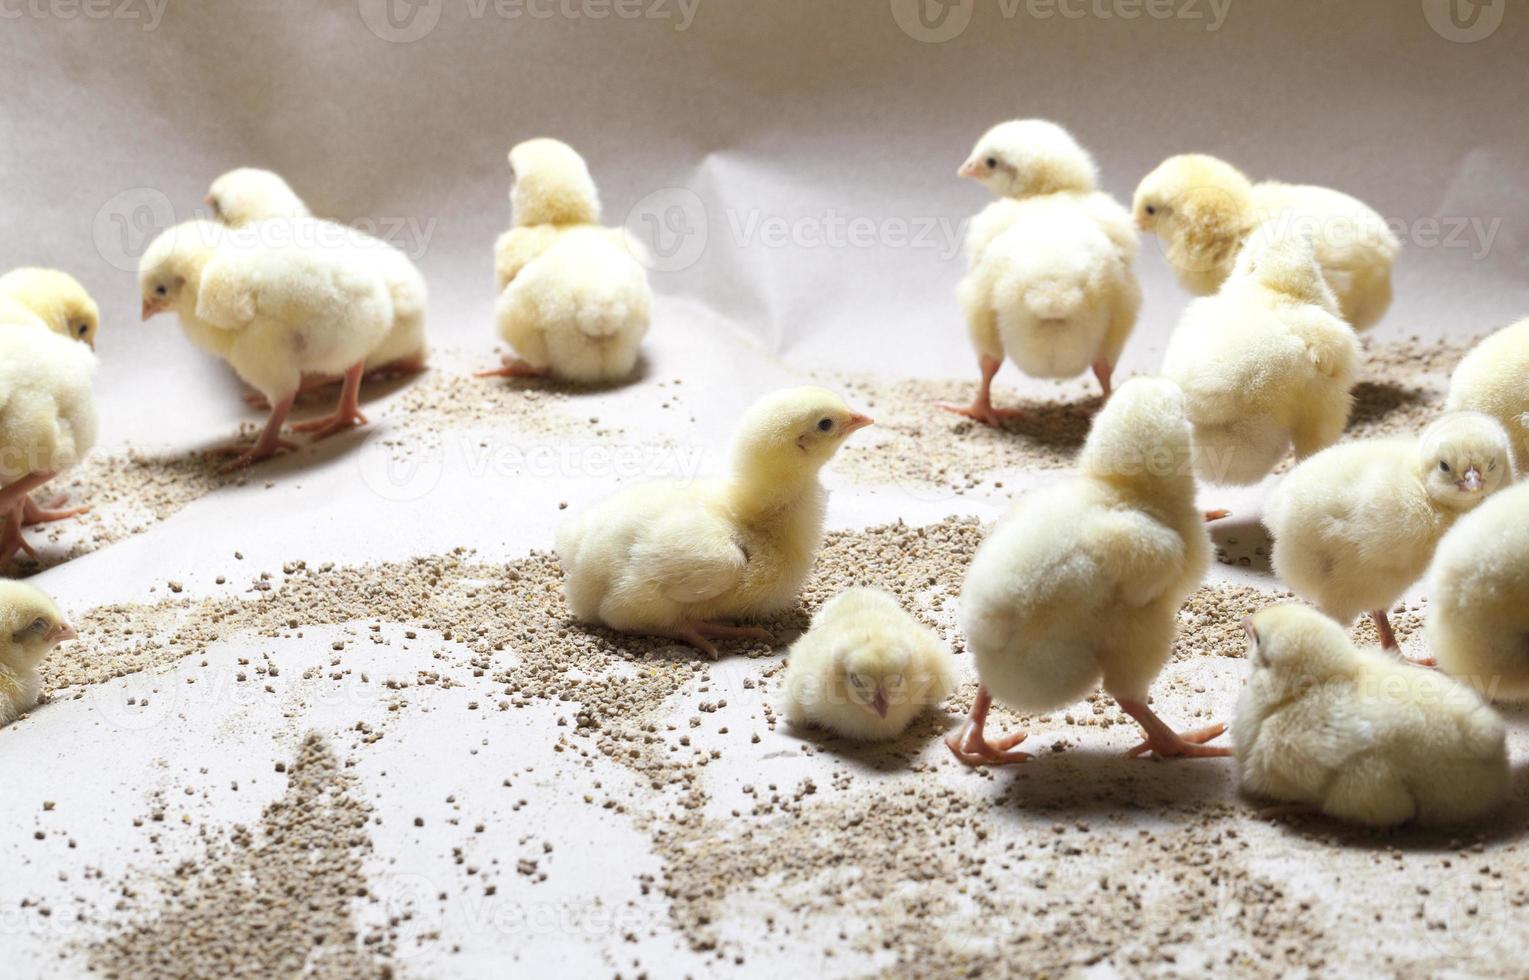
(1082,583)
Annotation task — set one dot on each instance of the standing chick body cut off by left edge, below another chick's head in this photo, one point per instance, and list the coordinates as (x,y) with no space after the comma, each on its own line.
(48,424)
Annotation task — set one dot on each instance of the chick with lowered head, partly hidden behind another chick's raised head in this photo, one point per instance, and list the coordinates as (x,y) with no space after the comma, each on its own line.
(1206,209)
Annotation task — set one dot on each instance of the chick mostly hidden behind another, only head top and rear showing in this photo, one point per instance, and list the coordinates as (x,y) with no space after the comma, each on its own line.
(248,195)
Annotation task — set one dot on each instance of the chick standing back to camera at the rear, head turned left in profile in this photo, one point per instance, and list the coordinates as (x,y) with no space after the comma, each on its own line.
(1050,281)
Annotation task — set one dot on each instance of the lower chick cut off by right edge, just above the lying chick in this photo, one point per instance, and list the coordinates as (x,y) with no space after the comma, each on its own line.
(1479,599)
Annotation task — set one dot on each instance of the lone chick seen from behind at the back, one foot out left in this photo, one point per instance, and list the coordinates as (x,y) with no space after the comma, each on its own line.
(574,297)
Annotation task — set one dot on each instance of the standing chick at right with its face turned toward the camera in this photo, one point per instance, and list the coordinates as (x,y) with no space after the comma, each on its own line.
(1357,525)
